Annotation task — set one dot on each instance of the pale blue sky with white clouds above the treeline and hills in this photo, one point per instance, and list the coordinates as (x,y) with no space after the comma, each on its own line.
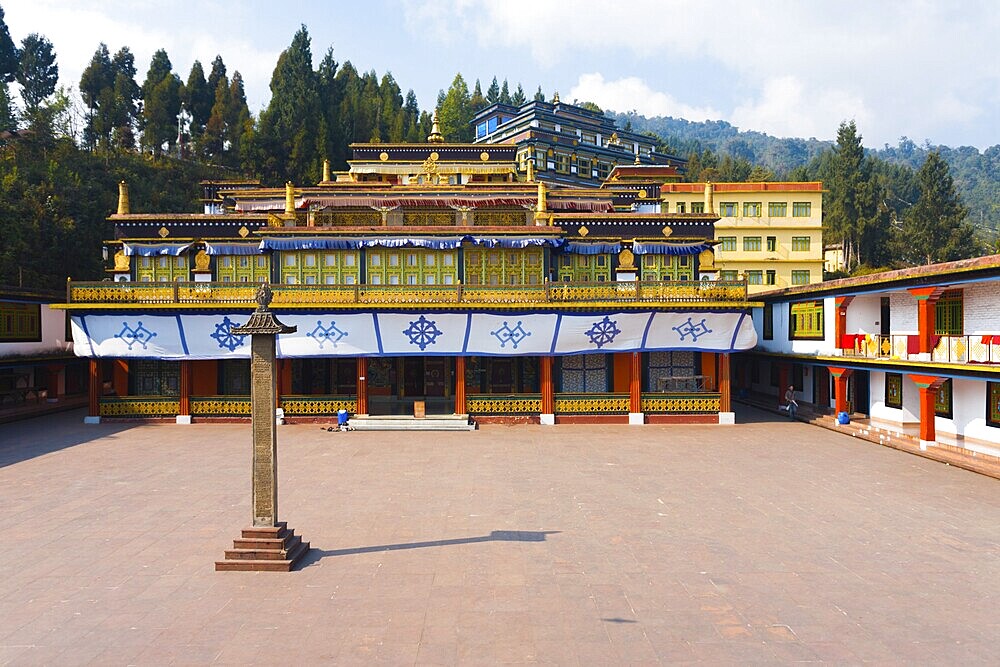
(924,69)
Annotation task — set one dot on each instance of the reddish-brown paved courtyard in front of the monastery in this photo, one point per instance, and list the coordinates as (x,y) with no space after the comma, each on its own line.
(770,541)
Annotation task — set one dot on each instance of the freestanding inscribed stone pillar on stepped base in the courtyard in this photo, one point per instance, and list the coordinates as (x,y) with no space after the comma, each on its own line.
(274,546)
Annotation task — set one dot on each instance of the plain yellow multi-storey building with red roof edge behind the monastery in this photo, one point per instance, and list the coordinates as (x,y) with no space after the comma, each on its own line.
(772,233)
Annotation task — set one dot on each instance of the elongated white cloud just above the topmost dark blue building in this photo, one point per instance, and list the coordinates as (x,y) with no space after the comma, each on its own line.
(632,93)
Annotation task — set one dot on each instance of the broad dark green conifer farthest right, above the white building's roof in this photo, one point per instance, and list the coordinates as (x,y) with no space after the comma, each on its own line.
(935,229)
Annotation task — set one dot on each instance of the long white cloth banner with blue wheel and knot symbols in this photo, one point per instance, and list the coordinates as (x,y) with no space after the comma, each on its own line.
(197,336)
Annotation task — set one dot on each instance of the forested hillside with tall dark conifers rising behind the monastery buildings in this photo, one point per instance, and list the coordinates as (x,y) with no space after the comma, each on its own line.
(61,154)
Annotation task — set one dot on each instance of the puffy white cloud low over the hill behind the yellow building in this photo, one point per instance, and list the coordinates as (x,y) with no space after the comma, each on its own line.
(787,107)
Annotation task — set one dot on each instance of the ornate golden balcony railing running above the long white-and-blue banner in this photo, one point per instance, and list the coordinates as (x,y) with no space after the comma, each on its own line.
(732,293)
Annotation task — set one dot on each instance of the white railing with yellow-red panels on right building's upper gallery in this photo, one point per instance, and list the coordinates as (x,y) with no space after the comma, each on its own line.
(977,349)
